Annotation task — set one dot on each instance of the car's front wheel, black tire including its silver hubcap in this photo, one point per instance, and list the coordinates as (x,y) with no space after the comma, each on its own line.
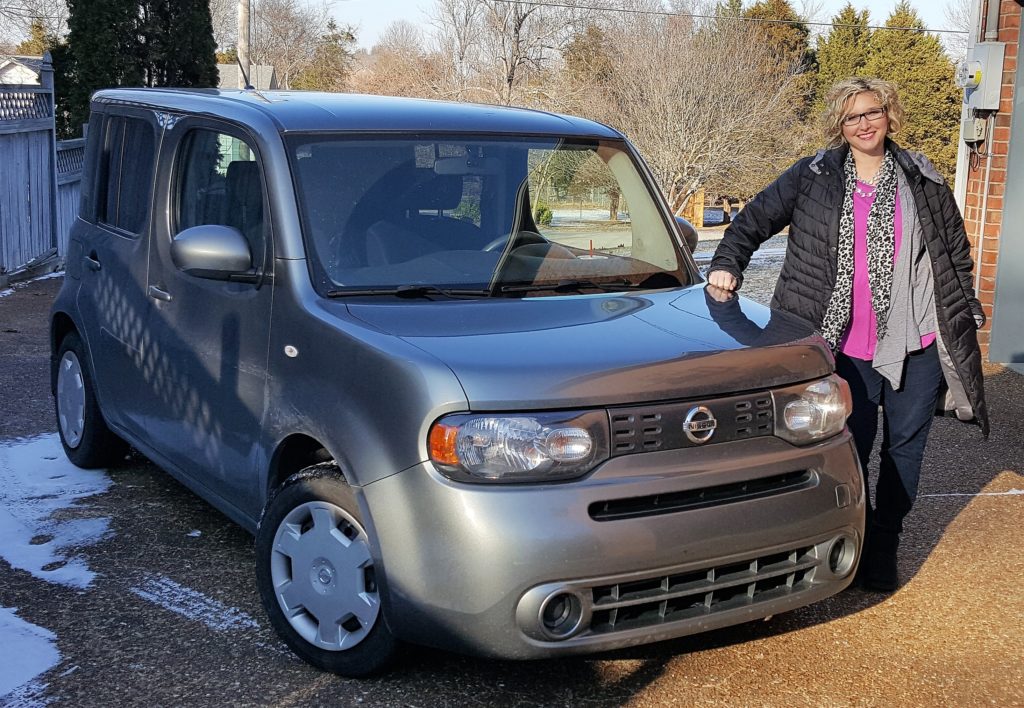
(316,575)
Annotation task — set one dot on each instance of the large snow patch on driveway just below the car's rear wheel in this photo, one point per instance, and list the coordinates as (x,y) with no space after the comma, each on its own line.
(37,482)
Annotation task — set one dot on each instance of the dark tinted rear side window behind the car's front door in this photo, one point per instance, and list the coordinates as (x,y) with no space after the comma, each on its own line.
(125,178)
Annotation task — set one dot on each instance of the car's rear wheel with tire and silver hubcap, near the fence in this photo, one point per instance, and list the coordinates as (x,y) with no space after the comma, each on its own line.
(87,440)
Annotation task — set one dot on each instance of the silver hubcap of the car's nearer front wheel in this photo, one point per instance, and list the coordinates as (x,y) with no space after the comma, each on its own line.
(323,576)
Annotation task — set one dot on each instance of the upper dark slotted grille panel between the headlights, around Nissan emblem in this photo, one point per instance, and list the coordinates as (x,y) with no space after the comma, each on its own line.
(650,429)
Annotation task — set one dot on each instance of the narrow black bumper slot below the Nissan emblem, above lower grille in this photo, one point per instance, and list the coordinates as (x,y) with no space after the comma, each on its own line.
(718,495)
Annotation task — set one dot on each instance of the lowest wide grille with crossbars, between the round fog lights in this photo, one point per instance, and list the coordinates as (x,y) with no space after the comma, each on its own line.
(665,599)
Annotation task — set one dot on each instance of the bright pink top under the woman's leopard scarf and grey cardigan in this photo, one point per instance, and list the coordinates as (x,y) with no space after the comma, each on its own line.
(862,336)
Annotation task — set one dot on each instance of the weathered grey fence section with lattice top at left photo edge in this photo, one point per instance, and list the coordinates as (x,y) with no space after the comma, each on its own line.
(28,179)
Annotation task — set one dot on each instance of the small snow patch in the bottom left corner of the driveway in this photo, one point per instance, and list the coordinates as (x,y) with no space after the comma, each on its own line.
(26,653)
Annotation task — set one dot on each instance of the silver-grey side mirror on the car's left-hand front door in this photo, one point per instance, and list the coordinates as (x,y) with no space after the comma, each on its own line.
(214,253)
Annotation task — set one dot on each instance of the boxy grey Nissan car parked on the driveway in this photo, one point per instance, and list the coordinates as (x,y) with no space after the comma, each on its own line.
(456,369)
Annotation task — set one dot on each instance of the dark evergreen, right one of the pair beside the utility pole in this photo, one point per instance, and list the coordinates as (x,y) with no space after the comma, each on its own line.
(177,44)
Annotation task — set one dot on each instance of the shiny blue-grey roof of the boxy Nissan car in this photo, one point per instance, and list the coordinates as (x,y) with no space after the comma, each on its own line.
(310,111)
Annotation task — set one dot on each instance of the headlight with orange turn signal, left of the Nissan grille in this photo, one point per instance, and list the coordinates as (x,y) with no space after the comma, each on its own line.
(541,447)
